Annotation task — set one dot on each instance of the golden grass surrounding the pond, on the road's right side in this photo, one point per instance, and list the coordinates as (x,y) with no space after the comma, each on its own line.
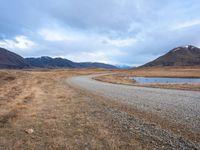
(191,72)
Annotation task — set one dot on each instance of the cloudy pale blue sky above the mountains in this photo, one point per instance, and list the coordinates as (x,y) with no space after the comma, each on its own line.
(122,32)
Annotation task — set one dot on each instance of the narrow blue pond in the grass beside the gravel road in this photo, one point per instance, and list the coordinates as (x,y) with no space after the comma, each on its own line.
(164,80)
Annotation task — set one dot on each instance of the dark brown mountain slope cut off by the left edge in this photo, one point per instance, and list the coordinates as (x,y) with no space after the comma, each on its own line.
(11,60)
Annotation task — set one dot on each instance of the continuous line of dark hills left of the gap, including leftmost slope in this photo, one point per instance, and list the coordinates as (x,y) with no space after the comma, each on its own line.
(10,60)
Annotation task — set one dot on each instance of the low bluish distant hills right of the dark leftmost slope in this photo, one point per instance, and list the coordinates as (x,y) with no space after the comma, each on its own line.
(48,62)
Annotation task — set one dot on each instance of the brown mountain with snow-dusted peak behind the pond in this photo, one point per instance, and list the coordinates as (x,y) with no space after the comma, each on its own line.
(180,56)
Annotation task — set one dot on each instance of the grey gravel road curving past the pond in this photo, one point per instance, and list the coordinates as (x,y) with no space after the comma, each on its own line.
(178,105)
